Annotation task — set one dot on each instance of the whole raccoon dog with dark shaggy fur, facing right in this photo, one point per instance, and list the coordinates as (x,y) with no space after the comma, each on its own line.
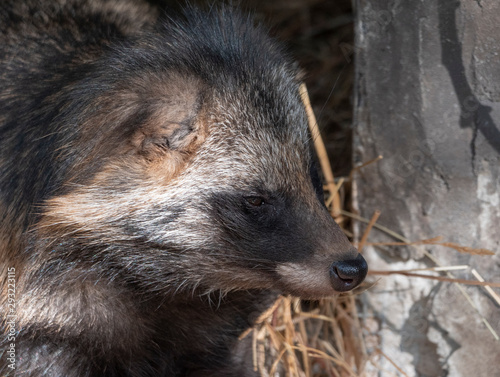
(157,190)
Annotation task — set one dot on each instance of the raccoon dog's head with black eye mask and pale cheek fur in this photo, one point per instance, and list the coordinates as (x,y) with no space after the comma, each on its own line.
(197,167)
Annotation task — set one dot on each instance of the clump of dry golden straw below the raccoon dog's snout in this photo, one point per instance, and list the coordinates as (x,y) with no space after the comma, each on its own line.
(326,341)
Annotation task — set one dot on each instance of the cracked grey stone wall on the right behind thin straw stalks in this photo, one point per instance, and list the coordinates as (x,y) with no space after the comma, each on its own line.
(427,98)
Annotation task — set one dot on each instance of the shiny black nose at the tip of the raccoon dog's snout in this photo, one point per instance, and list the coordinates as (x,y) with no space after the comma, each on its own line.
(345,275)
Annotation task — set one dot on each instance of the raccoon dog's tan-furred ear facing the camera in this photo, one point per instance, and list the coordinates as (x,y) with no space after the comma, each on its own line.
(172,126)
